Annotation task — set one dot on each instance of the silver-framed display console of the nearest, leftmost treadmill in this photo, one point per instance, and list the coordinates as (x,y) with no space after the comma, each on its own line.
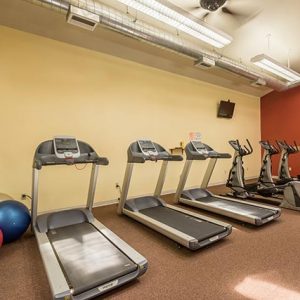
(66,147)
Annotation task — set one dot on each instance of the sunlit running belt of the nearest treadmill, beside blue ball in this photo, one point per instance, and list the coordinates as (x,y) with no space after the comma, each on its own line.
(88,259)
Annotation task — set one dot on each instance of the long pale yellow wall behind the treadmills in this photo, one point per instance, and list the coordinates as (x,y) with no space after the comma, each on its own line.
(49,88)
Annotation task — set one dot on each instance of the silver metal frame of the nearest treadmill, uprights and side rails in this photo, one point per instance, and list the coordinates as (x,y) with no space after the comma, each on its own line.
(59,286)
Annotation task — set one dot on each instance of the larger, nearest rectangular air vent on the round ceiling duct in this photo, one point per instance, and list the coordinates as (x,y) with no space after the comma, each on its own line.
(82,18)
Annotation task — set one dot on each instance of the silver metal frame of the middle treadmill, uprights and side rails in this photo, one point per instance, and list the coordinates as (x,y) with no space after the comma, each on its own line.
(176,235)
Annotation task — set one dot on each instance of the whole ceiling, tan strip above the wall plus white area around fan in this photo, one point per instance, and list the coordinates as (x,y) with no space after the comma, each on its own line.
(267,18)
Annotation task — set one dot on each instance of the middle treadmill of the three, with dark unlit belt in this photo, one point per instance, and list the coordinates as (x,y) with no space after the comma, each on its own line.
(189,229)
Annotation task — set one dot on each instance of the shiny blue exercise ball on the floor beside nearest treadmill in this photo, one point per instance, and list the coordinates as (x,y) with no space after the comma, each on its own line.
(14,220)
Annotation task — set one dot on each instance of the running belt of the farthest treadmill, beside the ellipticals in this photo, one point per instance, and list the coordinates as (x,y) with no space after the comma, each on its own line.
(238,208)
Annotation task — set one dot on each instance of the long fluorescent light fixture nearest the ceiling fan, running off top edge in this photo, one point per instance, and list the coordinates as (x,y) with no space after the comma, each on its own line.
(169,16)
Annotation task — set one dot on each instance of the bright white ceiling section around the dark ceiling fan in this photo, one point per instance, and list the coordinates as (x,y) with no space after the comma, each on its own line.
(280,20)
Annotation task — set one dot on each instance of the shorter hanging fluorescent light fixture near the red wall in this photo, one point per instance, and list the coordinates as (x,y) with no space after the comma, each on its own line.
(269,64)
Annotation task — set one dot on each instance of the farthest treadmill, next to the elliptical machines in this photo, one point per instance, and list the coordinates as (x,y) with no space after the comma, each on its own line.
(248,212)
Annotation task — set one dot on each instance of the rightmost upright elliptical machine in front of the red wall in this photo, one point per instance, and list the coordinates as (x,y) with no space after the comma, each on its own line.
(284,175)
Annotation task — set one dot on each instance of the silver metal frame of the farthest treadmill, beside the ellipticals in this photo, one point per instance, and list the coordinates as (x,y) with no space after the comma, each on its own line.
(208,207)
